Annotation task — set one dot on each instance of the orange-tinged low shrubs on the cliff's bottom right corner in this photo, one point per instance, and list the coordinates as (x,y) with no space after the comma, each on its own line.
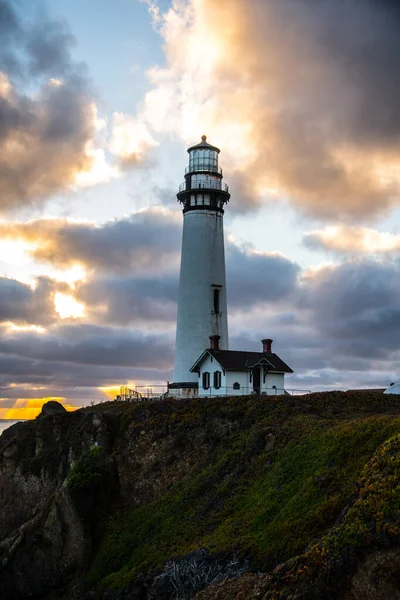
(372,521)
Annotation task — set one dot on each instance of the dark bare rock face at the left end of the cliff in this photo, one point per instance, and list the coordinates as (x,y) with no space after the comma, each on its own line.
(44,540)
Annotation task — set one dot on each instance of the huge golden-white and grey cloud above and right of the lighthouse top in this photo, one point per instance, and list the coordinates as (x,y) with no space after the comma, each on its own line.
(302,97)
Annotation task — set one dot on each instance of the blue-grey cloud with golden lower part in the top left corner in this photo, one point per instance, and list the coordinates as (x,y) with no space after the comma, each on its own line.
(43,136)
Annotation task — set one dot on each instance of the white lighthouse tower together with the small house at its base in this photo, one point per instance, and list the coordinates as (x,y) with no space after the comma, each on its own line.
(202,304)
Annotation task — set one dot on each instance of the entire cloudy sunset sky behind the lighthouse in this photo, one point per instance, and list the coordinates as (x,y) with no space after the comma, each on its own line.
(99,100)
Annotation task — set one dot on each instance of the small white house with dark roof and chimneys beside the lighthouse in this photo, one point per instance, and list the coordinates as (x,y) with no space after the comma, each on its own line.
(237,373)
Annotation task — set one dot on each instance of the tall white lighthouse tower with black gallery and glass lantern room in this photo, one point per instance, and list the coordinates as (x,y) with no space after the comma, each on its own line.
(202,306)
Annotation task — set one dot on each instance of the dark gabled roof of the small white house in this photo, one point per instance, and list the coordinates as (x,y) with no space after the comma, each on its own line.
(237,360)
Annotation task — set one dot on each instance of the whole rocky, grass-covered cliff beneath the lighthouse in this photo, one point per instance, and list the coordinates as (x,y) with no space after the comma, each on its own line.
(272,498)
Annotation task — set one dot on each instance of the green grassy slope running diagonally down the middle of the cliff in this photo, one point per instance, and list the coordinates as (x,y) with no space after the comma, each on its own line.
(268,501)
